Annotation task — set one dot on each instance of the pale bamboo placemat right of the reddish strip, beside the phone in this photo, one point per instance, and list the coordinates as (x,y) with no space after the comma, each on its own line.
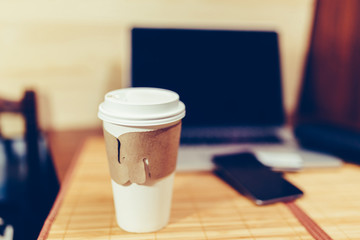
(332,199)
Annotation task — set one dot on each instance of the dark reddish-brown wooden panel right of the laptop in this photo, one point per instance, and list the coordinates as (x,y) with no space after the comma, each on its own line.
(331,92)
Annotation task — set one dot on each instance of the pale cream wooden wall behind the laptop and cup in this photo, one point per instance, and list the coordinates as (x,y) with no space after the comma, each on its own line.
(72,52)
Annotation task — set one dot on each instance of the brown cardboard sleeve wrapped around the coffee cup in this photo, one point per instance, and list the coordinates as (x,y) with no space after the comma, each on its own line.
(142,157)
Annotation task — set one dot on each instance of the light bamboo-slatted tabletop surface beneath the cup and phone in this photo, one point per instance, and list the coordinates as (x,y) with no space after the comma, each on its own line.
(204,207)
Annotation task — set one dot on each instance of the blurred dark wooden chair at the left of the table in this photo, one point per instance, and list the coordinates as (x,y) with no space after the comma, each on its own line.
(30,193)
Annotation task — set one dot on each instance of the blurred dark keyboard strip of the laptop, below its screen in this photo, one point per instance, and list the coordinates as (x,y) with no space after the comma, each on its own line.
(221,136)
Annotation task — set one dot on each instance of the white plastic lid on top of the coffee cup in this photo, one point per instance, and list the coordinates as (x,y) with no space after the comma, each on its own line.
(141,107)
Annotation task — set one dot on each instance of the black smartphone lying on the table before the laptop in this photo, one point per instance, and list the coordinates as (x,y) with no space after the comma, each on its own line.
(254,180)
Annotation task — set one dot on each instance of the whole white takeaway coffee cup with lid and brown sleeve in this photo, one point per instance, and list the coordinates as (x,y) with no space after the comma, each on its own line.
(145,206)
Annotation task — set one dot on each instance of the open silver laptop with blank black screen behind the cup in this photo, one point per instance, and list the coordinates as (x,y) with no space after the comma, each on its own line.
(230,82)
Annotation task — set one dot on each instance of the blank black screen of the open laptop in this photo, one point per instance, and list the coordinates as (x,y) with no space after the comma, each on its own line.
(225,78)
